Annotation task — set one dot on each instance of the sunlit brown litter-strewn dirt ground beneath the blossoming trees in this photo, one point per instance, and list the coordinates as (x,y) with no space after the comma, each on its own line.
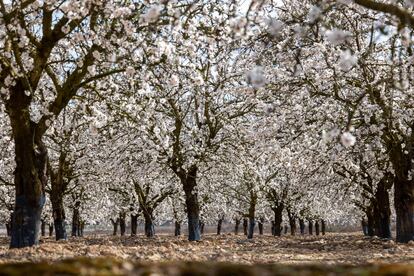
(332,249)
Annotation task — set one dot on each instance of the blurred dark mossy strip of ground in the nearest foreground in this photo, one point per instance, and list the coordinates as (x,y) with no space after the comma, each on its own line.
(109,266)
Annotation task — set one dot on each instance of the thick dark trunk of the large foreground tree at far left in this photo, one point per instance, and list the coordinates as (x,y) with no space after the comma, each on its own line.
(30,174)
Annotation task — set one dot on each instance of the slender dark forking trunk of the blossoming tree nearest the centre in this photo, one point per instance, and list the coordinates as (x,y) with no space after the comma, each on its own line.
(191,200)
